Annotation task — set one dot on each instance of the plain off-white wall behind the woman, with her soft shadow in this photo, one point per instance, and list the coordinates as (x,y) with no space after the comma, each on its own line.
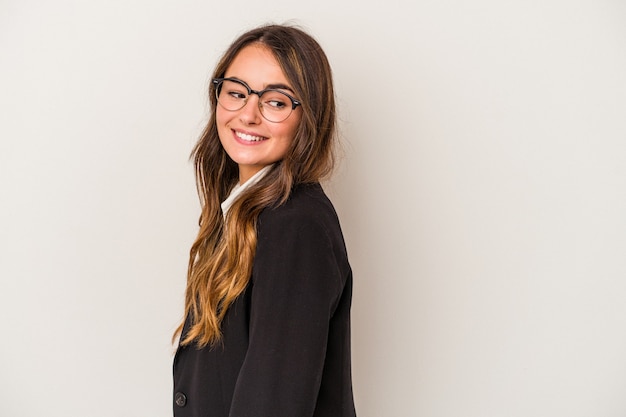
(482,195)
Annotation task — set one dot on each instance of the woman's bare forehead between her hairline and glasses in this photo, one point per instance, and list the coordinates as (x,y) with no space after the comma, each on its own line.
(256,65)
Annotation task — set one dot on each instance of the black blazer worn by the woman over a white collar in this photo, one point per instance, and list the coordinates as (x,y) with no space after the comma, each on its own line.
(286,339)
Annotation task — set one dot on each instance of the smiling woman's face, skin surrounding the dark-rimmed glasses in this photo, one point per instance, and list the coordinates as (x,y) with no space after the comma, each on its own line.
(249,139)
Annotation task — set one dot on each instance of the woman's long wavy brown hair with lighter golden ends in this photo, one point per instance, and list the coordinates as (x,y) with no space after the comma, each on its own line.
(221,258)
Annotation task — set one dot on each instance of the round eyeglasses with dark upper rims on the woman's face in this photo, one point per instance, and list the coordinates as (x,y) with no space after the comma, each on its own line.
(275,105)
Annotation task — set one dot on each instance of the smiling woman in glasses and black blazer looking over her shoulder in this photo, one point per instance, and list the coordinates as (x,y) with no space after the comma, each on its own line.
(267,307)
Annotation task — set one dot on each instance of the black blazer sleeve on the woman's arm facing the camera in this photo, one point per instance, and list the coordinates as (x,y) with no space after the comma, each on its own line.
(297,281)
